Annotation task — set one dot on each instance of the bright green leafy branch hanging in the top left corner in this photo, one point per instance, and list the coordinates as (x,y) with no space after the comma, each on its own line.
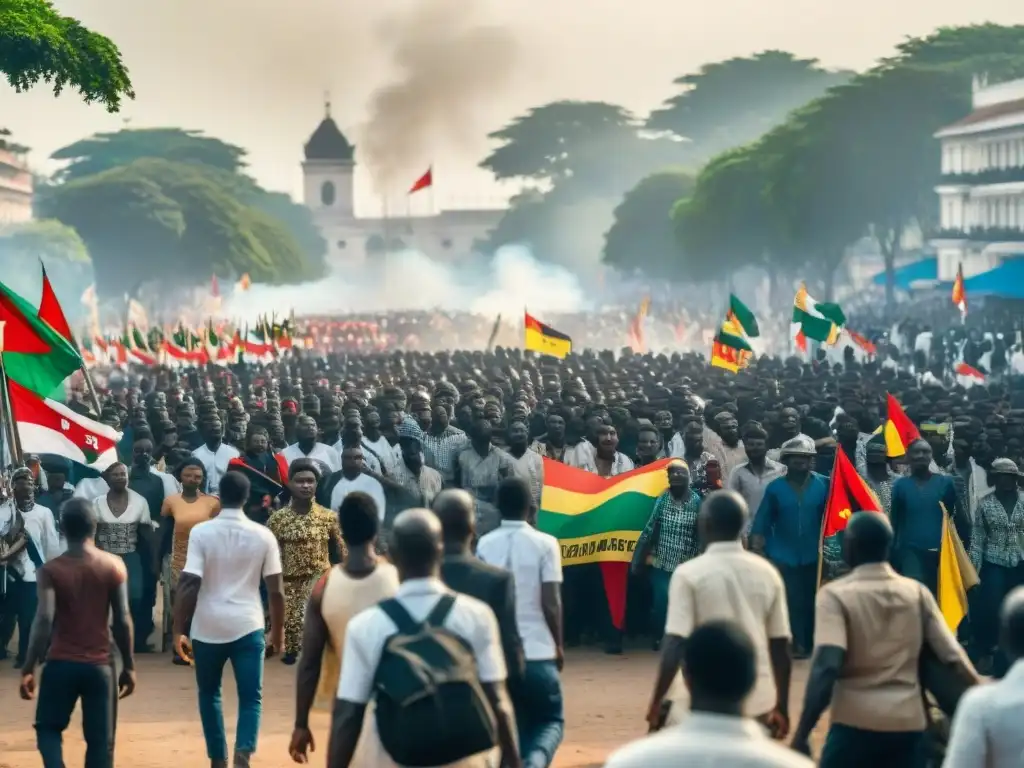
(37,44)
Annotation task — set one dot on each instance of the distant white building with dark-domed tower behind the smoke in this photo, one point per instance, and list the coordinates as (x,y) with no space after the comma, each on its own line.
(329,177)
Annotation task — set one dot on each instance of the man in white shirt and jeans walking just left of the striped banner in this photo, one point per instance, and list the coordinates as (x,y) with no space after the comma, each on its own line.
(535,562)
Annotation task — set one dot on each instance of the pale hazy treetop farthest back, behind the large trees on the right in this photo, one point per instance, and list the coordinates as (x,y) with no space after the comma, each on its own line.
(731,104)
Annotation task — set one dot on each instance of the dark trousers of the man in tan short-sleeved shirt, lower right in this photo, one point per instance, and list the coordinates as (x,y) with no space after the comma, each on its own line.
(847,747)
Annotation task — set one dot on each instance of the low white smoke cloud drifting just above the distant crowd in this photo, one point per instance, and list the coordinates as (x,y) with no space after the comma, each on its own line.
(410,281)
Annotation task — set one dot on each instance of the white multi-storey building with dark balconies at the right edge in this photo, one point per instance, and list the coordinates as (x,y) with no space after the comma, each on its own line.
(982,198)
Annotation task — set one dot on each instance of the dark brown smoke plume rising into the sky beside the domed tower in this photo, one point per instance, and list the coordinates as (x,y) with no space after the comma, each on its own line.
(448,66)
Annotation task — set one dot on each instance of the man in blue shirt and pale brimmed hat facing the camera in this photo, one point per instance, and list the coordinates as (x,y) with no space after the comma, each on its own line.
(788,531)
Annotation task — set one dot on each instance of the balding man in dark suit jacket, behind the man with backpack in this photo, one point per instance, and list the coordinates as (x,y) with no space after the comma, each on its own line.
(471,576)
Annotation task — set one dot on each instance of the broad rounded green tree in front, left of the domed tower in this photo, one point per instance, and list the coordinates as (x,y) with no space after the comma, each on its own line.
(175,224)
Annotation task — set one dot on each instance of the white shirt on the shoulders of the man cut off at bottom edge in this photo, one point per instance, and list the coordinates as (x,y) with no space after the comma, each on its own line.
(707,741)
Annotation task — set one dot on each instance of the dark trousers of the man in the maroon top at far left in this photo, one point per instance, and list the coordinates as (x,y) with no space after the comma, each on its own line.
(63,685)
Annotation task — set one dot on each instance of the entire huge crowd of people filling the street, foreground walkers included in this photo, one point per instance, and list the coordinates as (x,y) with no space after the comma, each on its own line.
(356,515)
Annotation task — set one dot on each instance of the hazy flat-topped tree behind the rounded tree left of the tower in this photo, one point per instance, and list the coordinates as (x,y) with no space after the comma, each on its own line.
(221,160)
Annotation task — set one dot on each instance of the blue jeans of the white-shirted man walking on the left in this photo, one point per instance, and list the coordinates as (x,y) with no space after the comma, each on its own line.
(246,656)
